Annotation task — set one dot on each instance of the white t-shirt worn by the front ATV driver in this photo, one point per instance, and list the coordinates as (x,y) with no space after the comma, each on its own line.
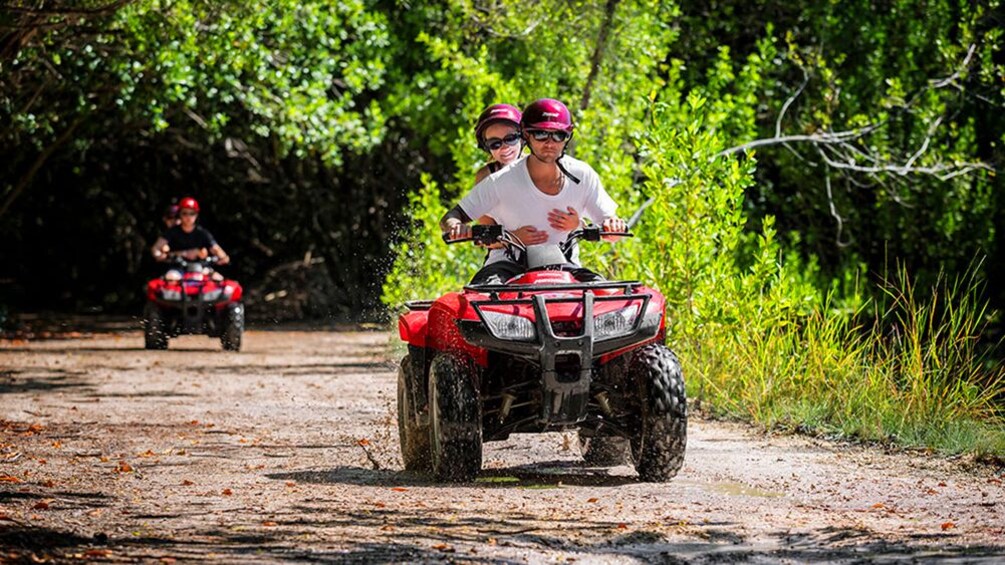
(510,197)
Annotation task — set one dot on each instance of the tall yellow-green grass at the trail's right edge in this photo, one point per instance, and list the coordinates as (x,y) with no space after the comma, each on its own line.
(911,371)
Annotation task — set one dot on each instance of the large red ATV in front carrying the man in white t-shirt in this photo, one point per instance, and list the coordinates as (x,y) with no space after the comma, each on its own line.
(541,353)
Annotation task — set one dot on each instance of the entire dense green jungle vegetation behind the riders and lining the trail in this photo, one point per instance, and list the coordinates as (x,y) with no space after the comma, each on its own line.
(824,176)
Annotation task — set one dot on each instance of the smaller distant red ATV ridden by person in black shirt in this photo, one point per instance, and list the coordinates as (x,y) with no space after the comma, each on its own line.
(191,298)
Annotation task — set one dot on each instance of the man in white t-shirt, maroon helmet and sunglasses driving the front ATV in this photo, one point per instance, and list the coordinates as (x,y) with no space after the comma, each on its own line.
(540,199)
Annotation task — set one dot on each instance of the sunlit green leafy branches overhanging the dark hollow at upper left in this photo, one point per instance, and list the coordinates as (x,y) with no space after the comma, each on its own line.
(297,73)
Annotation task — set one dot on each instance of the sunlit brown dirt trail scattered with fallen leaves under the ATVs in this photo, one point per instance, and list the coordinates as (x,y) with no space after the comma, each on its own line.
(288,452)
